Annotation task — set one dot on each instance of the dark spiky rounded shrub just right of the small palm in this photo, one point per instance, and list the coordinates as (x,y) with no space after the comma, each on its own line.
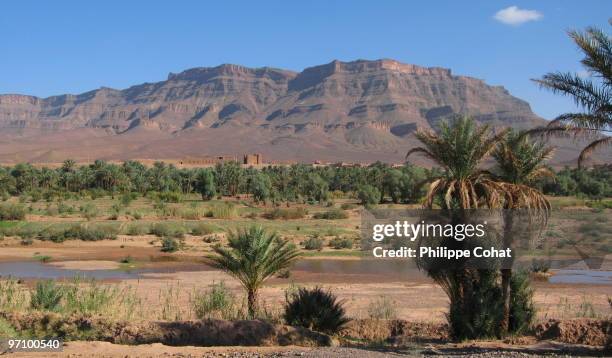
(315,309)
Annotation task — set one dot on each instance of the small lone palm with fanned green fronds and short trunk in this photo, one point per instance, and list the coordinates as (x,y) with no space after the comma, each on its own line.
(254,256)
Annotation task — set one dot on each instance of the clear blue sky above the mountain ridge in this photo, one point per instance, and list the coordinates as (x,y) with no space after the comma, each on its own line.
(56,47)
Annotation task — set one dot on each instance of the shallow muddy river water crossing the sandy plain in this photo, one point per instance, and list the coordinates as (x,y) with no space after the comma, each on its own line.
(364,270)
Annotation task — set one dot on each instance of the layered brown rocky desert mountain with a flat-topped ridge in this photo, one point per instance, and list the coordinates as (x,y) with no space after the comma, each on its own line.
(353,111)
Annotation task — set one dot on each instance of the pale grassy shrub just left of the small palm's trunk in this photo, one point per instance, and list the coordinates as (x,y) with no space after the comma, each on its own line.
(218,302)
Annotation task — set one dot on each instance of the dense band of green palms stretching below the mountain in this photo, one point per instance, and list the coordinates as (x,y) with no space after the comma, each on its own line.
(376,183)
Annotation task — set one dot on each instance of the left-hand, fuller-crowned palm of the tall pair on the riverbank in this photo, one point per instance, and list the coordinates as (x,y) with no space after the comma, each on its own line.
(459,149)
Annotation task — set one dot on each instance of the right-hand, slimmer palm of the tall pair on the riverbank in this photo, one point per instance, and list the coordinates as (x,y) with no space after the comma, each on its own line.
(519,163)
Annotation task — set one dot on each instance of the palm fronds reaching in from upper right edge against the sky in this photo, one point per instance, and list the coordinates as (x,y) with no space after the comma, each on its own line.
(593,94)
